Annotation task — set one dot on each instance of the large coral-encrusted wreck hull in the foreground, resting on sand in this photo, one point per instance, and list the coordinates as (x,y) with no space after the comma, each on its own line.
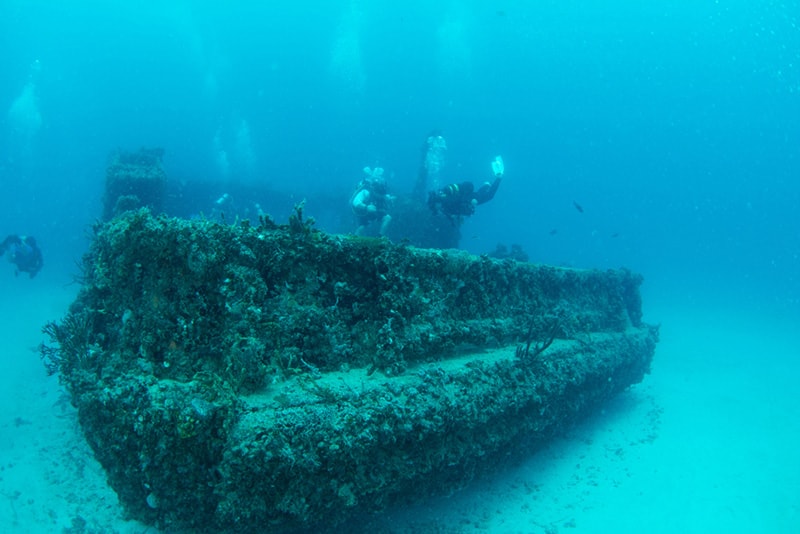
(271,378)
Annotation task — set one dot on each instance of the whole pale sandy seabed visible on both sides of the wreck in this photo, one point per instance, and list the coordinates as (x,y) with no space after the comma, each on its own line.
(707,443)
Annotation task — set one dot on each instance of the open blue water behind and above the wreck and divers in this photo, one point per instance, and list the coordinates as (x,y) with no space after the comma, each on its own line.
(674,125)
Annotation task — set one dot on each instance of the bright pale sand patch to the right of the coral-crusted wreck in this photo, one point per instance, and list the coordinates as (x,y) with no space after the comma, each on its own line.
(708,443)
